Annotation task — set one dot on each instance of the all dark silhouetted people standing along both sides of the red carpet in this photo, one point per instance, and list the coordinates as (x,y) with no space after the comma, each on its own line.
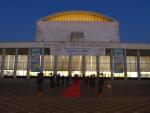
(92,81)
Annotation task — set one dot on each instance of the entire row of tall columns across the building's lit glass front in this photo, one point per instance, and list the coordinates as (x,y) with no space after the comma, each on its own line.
(83,69)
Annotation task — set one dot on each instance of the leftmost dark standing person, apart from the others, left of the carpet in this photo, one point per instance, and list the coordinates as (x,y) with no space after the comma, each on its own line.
(39,82)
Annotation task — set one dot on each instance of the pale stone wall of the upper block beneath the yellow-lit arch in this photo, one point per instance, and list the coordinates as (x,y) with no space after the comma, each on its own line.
(93,31)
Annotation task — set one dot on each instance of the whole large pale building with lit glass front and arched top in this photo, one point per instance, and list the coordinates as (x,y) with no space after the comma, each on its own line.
(76,42)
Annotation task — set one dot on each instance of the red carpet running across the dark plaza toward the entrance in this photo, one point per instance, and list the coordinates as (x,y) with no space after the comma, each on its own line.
(73,90)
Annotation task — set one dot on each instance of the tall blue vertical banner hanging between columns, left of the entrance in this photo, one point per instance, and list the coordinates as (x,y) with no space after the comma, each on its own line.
(35,60)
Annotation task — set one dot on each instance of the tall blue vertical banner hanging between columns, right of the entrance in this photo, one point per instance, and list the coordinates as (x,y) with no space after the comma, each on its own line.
(118,61)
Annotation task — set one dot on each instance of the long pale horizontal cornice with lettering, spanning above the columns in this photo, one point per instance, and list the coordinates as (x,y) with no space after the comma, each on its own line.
(73,45)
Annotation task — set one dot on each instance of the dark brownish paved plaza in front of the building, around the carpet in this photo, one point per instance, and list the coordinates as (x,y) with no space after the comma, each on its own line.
(20,96)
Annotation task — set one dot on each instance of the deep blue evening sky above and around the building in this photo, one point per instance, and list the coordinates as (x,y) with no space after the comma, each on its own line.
(18,17)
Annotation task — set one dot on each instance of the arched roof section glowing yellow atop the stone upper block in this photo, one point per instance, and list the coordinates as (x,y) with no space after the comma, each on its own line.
(79,16)
